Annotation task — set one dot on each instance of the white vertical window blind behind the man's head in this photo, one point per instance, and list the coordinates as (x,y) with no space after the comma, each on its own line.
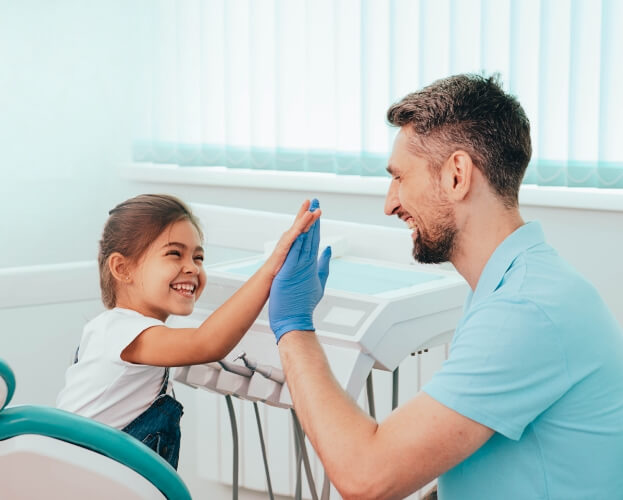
(304,85)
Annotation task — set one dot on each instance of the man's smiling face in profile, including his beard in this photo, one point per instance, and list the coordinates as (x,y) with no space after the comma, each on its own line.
(415,195)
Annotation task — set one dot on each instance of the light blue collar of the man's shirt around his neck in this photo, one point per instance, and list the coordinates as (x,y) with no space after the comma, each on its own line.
(523,238)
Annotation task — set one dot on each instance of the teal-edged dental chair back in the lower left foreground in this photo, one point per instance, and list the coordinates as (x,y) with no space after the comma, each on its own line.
(49,453)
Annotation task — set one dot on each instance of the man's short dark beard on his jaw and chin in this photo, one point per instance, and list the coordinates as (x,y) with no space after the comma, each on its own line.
(436,245)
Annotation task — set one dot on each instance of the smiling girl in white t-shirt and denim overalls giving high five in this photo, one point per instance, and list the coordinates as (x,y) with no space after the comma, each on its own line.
(151,266)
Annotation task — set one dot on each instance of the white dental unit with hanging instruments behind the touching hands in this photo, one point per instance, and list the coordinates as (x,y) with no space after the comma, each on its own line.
(377,309)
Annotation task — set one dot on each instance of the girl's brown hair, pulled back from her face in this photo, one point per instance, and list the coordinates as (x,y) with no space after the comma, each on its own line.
(131,227)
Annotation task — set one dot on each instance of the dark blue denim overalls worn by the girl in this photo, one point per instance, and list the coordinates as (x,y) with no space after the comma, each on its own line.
(159,425)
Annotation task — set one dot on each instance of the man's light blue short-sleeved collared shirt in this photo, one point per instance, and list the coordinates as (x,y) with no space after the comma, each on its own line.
(538,358)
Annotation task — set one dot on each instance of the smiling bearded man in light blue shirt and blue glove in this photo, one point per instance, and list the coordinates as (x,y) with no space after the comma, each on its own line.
(529,404)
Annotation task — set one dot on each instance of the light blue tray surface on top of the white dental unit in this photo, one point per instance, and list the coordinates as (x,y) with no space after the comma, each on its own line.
(359,277)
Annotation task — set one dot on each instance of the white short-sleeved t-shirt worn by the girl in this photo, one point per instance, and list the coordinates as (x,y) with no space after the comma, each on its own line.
(101,385)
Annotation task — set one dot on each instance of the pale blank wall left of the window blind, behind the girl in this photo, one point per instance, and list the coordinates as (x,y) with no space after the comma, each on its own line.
(71,82)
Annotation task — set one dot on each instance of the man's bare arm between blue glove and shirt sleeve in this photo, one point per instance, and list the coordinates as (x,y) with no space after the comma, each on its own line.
(416,443)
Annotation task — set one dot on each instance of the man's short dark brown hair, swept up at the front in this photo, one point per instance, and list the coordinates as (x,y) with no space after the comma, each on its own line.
(472,113)
